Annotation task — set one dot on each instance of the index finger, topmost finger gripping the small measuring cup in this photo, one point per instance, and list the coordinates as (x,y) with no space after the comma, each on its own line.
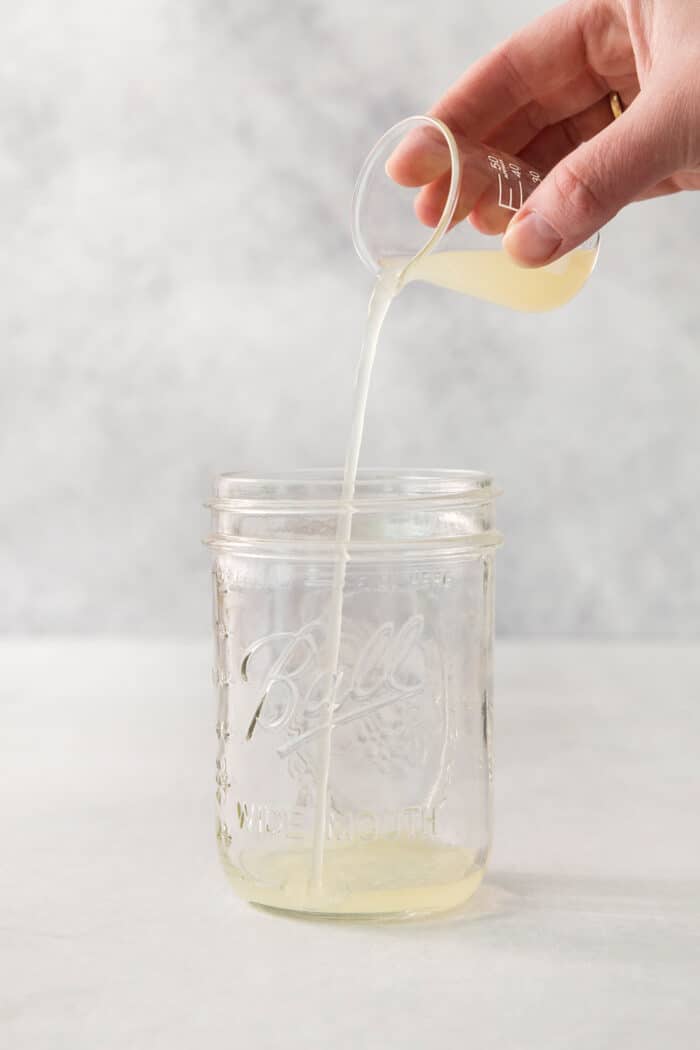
(540,60)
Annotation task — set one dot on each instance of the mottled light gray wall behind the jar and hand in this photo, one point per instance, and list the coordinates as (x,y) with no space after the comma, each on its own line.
(179,296)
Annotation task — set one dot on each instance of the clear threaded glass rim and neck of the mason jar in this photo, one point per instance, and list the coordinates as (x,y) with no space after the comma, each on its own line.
(395,513)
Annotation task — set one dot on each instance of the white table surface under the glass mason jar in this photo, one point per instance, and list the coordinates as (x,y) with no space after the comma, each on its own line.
(118,930)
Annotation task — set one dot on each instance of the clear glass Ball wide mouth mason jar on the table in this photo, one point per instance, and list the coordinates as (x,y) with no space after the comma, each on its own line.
(363,789)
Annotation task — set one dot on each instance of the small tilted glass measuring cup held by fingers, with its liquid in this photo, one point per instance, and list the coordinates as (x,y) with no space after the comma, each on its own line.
(484,186)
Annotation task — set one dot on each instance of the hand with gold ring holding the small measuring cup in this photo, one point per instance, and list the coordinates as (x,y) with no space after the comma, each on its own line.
(544,95)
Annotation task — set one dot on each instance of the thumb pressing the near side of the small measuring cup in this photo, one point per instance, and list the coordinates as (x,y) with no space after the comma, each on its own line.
(590,185)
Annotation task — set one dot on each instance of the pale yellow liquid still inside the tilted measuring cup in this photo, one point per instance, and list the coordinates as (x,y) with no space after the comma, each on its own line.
(492,276)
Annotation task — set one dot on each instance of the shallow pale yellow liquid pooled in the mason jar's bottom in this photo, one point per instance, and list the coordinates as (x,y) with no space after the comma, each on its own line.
(386,877)
